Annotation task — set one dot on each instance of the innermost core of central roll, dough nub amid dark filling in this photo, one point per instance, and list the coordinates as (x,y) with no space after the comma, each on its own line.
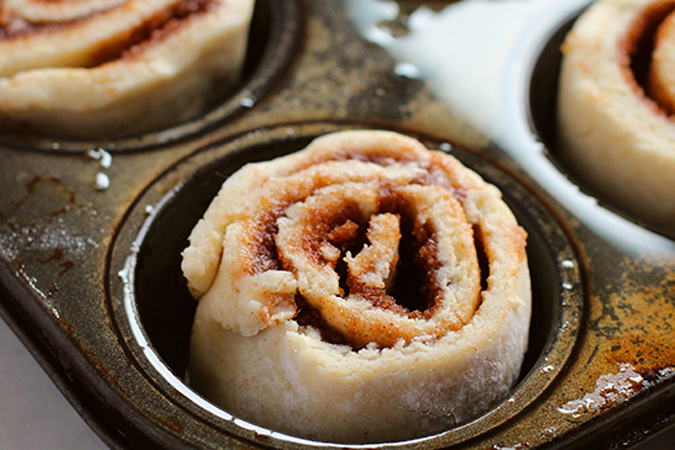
(387,259)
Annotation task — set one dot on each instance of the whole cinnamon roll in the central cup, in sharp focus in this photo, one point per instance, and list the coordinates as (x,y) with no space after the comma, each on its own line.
(364,289)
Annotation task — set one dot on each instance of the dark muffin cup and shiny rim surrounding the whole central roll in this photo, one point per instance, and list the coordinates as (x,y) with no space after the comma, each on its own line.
(150,233)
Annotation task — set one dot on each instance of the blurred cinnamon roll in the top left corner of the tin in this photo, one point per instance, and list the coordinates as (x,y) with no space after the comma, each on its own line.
(105,68)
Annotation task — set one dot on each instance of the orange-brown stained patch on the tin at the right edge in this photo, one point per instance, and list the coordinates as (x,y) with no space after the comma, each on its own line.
(631,321)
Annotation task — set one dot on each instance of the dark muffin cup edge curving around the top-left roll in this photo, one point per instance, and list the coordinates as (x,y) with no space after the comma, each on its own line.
(274,34)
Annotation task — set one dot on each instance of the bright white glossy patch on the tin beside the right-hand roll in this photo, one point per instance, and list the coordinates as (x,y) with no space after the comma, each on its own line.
(476,56)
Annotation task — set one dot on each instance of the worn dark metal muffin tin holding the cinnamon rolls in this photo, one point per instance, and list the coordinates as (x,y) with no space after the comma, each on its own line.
(90,273)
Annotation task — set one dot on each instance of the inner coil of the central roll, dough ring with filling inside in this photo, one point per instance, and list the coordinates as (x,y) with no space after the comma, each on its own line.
(373,264)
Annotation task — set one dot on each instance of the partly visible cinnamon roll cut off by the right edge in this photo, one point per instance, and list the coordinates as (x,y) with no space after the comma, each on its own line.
(616,100)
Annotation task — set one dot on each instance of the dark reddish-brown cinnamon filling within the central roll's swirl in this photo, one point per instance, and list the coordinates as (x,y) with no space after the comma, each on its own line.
(413,291)
